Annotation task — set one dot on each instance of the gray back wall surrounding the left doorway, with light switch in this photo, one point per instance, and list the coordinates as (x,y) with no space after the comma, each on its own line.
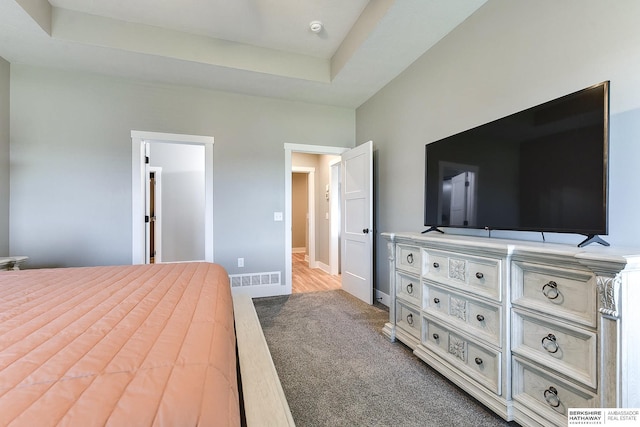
(71,163)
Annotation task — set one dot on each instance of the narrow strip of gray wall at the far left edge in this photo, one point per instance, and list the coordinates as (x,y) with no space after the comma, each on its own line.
(4,157)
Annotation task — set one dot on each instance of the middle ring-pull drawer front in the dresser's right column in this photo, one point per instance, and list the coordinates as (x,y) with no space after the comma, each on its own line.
(569,350)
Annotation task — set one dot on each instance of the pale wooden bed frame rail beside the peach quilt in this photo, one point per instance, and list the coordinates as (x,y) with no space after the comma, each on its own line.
(262,399)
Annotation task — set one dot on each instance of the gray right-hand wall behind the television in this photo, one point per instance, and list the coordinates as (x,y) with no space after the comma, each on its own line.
(508,56)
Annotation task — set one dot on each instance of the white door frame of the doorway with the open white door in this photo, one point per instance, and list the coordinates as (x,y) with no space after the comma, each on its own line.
(288,150)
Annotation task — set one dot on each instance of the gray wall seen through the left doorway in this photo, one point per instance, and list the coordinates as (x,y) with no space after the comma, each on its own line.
(182,200)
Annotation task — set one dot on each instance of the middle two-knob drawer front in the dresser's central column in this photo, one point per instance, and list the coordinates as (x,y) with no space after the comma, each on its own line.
(480,319)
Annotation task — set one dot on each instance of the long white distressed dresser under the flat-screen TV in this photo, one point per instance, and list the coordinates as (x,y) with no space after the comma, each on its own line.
(529,329)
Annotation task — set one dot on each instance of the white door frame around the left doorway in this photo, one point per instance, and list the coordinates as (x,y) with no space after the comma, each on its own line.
(138,177)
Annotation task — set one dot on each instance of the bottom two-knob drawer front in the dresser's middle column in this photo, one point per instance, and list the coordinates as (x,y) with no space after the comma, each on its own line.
(479,363)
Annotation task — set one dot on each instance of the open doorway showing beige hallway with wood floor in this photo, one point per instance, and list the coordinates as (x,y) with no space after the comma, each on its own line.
(315,217)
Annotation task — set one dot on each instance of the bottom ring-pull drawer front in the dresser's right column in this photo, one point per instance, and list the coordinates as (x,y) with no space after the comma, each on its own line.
(546,394)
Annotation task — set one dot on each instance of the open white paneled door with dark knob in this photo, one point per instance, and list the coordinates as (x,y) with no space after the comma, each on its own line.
(357,222)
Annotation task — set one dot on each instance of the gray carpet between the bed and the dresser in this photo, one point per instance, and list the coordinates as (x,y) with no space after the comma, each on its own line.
(337,369)
